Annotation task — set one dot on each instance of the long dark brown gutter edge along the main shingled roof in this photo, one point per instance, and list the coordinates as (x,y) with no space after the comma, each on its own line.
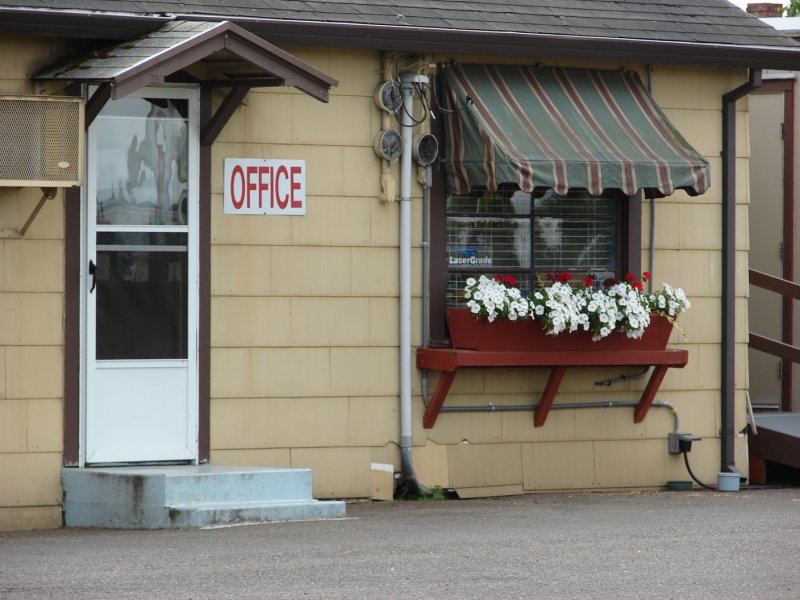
(406,38)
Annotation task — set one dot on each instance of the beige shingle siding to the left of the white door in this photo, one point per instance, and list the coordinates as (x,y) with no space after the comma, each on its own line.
(31,330)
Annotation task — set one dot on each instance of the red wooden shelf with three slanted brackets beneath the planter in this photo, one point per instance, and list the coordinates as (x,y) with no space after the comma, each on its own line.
(448,361)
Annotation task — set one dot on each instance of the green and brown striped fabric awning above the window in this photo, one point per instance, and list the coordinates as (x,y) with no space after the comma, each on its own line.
(562,129)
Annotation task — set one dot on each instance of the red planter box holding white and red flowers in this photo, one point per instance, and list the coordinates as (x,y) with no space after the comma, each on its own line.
(467,332)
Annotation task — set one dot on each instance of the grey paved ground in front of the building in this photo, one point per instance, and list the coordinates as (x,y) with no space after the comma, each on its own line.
(567,545)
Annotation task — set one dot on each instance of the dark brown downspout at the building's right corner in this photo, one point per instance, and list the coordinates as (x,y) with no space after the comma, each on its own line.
(728,370)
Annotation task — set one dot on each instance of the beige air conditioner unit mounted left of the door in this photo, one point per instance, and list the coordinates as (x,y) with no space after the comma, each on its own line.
(42,141)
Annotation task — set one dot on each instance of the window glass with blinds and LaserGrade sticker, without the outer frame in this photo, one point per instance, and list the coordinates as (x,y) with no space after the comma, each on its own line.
(532,234)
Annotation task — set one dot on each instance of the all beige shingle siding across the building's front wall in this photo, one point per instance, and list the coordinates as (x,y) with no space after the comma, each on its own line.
(304,319)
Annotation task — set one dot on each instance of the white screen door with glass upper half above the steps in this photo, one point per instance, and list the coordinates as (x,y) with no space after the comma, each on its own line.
(141,280)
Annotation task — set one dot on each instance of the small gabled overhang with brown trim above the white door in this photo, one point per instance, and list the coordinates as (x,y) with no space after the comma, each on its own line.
(216,54)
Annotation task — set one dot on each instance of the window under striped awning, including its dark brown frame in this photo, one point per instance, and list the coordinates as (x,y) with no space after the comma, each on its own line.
(510,231)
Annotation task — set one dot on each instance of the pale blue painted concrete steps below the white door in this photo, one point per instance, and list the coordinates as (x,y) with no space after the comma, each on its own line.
(156,497)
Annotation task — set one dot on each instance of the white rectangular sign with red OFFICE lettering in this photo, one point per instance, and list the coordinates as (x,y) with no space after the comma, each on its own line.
(255,186)
